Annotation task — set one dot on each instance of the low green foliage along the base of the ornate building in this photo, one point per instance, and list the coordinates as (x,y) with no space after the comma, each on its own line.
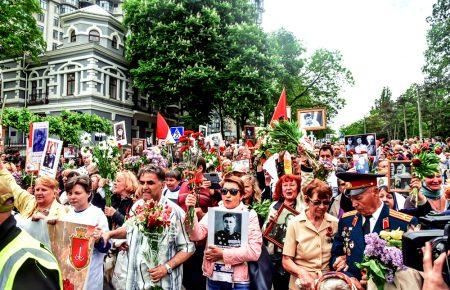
(67,126)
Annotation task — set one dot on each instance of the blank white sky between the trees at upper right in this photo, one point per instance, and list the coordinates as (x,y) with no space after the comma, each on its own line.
(382,42)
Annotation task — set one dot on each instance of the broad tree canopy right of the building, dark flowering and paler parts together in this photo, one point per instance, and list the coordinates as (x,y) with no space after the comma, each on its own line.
(212,56)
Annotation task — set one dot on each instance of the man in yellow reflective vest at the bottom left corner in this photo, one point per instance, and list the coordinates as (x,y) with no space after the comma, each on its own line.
(24,262)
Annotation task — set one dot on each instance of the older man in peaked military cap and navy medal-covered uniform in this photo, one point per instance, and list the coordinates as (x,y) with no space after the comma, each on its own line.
(370,216)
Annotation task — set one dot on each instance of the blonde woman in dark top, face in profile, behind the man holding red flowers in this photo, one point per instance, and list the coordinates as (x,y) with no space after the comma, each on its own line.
(125,186)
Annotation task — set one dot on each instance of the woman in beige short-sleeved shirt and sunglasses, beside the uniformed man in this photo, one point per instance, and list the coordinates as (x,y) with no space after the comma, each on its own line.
(307,247)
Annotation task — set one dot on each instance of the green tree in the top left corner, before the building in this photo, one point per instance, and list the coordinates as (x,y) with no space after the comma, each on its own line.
(19,32)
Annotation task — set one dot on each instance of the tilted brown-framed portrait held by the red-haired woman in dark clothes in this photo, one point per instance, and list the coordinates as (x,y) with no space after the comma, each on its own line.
(276,230)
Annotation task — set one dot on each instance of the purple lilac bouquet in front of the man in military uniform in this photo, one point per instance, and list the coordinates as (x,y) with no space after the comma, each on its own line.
(381,260)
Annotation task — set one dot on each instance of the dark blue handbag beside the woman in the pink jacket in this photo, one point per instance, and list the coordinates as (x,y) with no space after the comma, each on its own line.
(260,272)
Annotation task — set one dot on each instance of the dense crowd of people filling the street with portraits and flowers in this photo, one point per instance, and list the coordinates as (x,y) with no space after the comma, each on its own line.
(325,234)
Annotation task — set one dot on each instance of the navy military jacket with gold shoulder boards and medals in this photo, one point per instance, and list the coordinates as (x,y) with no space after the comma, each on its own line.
(349,239)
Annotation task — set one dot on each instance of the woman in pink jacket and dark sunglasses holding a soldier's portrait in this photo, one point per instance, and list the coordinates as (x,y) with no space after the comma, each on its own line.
(233,260)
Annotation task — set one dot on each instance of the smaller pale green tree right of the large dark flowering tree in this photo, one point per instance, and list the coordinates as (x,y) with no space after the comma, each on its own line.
(314,81)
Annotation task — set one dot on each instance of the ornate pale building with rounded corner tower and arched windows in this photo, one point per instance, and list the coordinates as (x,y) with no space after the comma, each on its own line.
(84,69)
